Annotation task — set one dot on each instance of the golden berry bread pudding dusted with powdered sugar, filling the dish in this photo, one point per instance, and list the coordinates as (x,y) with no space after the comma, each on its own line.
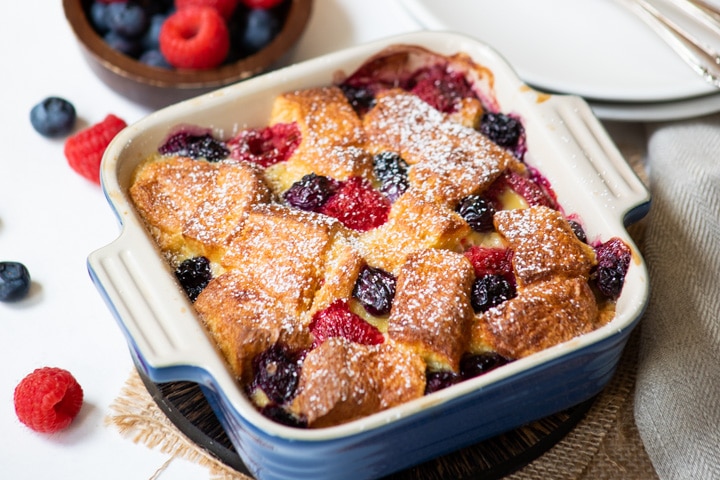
(378,239)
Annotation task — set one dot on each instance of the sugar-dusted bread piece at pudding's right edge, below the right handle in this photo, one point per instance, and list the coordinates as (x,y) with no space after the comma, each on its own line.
(544,244)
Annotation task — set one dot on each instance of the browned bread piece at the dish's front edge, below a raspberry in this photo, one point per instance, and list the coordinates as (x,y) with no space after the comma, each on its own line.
(342,381)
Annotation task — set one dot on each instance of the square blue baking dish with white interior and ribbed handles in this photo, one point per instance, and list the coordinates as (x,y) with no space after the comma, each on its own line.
(565,142)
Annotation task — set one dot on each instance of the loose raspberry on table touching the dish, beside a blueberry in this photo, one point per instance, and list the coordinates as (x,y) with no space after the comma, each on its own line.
(84,150)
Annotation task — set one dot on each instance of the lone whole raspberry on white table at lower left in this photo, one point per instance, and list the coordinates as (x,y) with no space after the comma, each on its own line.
(48,399)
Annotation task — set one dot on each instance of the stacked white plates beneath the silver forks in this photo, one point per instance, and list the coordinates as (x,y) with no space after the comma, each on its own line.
(592,48)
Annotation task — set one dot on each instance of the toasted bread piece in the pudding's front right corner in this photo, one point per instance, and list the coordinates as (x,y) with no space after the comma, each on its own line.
(542,315)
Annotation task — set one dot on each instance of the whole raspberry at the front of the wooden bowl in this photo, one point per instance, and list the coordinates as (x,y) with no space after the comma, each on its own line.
(195,37)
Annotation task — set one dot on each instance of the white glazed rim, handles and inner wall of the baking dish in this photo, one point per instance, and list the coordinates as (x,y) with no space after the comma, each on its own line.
(565,142)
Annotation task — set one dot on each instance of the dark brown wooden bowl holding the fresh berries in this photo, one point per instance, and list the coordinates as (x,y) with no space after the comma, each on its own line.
(157,87)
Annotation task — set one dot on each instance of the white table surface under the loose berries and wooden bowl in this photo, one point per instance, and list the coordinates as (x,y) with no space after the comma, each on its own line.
(51,219)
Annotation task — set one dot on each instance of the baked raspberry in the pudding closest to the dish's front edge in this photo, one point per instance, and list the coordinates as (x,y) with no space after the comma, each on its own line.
(338,321)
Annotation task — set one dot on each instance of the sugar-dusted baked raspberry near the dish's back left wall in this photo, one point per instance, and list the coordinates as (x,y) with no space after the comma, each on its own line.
(265,146)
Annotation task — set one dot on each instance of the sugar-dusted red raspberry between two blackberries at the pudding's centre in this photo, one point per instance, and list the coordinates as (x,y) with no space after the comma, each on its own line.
(357,205)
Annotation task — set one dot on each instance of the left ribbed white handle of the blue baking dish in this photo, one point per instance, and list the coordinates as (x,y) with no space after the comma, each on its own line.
(135,282)
